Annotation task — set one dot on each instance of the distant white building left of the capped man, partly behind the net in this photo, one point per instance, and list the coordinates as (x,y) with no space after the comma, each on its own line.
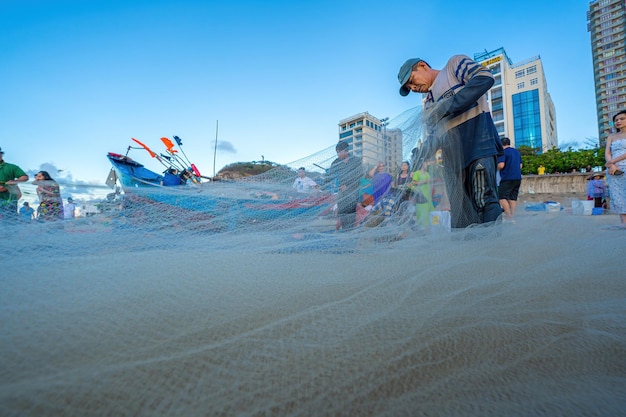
(371,140)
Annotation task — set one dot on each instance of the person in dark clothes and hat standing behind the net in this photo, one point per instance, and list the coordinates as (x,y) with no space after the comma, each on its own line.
(347,171)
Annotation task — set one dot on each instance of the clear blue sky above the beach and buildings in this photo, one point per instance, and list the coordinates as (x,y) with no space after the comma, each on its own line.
(79,78)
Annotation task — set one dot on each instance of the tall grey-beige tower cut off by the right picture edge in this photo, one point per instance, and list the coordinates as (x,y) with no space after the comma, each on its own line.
(606,22)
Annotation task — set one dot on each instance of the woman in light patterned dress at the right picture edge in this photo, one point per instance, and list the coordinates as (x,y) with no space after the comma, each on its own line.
(615,155)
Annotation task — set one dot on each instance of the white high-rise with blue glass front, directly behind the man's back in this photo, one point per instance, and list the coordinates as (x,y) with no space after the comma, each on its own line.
(521,106)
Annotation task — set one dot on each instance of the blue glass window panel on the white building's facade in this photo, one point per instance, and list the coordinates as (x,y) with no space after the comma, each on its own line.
(527,119)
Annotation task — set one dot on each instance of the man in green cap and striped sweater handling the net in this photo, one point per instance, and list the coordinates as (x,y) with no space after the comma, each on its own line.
(456,119)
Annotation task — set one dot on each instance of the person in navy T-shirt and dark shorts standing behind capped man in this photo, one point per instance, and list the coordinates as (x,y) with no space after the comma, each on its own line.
(510,168)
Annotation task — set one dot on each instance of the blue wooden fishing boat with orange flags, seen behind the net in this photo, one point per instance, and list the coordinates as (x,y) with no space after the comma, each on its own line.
(227,203)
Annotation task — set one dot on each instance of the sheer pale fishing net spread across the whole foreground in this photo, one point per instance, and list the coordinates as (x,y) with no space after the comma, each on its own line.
(241,297)
